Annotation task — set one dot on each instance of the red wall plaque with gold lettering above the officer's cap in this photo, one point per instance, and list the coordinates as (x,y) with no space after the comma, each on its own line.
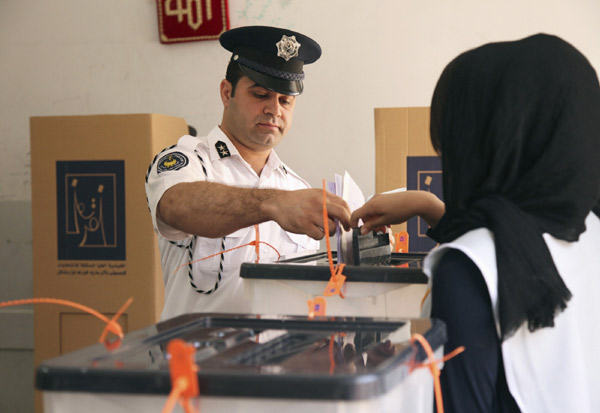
(190,20)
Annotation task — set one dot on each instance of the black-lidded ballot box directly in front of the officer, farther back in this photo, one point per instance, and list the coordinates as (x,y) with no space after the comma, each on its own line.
(395,289)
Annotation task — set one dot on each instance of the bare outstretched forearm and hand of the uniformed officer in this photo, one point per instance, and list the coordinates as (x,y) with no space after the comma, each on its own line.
(214,210)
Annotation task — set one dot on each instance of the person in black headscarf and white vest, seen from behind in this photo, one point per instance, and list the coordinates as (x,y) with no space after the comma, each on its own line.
(517,125)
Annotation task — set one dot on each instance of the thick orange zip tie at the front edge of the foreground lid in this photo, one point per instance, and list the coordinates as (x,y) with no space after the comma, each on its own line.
(184,378)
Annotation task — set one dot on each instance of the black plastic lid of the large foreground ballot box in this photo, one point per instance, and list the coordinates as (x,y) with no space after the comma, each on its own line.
(254,356)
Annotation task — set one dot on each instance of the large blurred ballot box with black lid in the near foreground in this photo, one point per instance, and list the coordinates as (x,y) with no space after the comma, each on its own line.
(251,363)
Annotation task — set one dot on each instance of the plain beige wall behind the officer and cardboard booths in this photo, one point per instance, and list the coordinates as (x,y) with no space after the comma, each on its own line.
(71,57)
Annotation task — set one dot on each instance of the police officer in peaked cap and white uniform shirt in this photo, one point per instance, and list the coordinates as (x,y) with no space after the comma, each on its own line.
(206,194)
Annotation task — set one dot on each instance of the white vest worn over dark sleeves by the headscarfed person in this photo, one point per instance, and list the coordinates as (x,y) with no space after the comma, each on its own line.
(552,370)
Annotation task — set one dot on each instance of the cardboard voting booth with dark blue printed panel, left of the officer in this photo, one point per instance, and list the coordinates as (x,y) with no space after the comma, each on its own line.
(93,240)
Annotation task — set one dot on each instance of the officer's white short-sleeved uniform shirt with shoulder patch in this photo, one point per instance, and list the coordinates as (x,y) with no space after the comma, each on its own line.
(214,158)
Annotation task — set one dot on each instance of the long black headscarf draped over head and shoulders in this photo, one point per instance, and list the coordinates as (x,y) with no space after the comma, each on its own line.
(517,125)
